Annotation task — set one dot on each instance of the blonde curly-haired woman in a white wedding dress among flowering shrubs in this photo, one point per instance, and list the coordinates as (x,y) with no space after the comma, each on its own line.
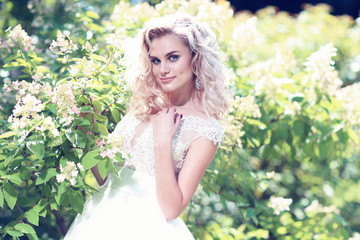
(170,133)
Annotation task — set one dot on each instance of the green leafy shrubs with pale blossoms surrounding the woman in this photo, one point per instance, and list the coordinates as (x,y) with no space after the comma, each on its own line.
(292,132)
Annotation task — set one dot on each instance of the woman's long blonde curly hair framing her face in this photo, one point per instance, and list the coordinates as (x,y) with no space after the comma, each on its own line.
(148,98)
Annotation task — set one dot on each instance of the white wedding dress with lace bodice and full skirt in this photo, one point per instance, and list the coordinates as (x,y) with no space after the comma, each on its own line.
(125,207)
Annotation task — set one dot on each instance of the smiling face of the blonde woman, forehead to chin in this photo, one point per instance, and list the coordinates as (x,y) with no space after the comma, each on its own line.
(171,65)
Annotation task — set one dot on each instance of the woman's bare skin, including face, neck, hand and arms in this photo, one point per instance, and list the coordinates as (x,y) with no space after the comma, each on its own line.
(171,66)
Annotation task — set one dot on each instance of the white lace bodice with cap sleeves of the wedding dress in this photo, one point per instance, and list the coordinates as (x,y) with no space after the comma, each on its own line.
(138,141)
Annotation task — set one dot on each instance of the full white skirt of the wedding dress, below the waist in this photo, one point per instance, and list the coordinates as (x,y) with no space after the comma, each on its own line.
(126,208)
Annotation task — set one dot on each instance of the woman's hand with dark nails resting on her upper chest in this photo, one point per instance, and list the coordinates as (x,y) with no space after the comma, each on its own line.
(165,125)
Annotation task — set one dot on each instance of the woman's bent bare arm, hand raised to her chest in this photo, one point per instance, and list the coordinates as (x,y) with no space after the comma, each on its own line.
(174,194)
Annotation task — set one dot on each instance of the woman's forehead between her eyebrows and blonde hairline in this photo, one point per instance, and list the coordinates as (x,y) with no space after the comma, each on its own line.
(167,43)
